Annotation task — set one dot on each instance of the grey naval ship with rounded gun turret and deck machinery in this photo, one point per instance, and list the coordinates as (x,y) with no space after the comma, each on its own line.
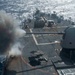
(48,47)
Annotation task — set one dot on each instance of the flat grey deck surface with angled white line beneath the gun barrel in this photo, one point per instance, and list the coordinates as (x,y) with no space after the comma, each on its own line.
(44,43)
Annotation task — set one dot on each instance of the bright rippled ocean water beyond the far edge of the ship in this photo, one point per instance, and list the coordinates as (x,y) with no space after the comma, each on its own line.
(21,9)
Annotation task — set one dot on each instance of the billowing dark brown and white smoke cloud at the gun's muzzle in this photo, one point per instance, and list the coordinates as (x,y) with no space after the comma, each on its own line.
(9,33)
